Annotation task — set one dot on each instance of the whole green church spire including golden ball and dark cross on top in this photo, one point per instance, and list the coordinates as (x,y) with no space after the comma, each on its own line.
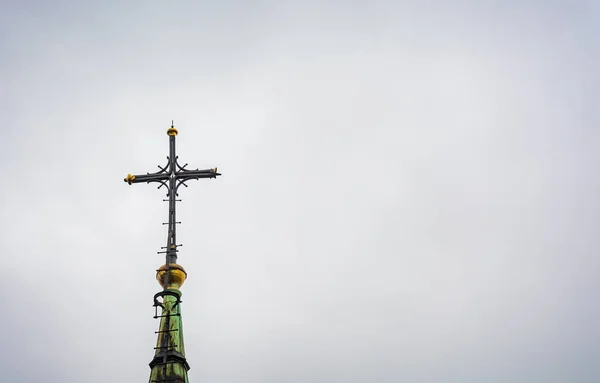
(169,363)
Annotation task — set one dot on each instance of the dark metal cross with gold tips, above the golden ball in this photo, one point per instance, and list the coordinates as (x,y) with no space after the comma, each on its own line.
(172,176)
